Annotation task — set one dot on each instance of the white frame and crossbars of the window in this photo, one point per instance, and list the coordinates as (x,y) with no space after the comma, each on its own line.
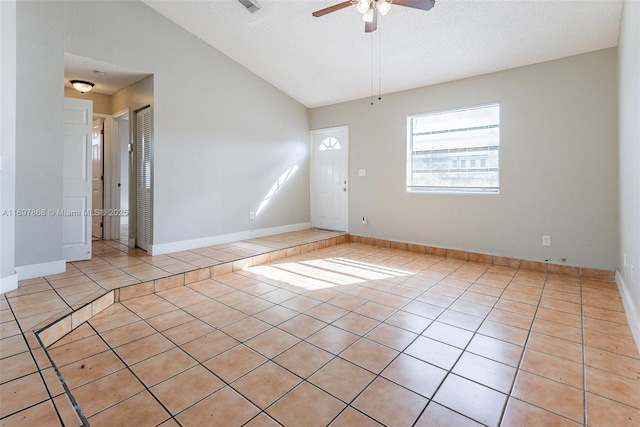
(471,189)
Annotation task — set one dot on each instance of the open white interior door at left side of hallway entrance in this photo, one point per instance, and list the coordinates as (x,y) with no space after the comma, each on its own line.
(77,178)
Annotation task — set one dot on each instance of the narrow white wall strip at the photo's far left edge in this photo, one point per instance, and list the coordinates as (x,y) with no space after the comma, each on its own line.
(8,277)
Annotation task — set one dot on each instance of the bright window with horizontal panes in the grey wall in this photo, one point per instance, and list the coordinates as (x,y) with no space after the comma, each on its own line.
(439,142)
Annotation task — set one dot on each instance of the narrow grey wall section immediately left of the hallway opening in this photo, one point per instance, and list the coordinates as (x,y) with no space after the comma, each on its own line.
(39,133)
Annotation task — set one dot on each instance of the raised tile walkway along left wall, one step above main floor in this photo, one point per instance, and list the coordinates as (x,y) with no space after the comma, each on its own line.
(30,392)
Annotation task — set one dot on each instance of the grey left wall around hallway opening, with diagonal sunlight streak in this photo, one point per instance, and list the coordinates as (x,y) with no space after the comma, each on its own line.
(222,136)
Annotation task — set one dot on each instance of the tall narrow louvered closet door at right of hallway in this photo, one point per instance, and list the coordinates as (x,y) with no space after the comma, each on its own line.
(143,151)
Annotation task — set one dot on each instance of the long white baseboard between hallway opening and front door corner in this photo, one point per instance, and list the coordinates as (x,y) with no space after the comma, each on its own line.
(185,245)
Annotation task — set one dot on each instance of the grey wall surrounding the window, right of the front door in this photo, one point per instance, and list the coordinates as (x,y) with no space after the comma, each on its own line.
(558,165)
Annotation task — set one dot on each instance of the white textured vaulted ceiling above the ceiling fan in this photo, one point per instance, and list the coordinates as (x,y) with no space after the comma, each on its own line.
(320,61)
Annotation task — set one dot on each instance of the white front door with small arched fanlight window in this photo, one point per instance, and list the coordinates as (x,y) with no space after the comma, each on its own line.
(330,167)
